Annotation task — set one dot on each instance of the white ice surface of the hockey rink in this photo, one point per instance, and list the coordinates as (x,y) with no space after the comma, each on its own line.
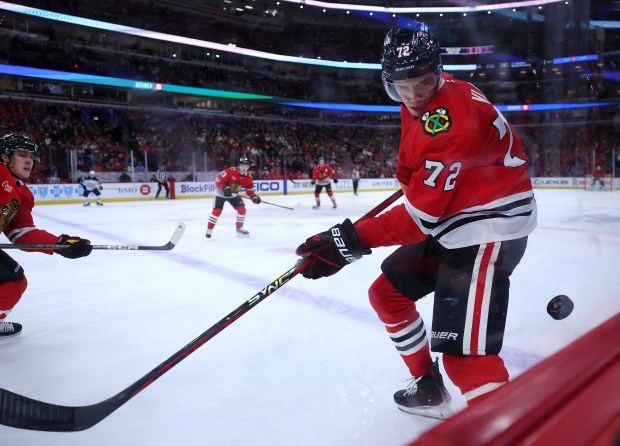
(311,365)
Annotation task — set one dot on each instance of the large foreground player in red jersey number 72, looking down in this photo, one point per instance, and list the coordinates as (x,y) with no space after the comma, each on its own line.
(469,208)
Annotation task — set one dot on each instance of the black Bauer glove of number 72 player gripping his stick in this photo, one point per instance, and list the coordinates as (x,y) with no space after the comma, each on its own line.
(331,250)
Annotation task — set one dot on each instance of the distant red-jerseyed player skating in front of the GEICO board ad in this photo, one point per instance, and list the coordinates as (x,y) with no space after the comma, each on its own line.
(227,186)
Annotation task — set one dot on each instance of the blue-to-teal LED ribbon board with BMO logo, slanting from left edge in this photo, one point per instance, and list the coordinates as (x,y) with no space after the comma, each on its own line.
(63,76)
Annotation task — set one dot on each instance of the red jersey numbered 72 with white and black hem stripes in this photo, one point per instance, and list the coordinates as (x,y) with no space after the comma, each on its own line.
(464,171)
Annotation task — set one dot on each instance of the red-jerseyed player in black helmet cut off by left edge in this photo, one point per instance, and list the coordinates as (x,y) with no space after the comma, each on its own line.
(19,154)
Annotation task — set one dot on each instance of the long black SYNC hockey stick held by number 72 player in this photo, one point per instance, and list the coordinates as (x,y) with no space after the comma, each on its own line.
(25,413)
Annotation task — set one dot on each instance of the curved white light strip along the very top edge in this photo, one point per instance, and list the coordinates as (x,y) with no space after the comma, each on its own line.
(435,9)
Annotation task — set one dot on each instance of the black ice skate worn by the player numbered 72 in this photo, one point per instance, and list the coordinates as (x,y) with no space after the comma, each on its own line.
(426,395)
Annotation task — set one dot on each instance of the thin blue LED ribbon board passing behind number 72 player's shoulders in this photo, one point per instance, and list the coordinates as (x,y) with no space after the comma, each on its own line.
(396,108)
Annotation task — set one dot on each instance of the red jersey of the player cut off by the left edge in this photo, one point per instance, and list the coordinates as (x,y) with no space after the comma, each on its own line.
(16,203)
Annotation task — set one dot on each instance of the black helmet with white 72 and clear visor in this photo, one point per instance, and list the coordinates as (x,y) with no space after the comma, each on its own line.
(409,51)
